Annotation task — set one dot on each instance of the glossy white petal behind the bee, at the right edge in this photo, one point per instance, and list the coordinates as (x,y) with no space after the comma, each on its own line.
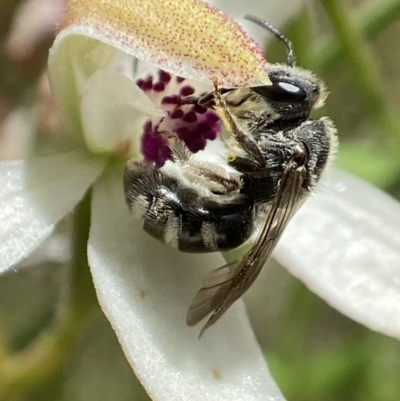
(344,245)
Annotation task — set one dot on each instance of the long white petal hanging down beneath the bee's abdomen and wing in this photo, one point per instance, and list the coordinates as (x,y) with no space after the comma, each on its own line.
(145,288)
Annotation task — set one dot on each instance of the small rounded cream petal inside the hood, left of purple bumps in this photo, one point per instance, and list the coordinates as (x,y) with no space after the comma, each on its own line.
(114,110)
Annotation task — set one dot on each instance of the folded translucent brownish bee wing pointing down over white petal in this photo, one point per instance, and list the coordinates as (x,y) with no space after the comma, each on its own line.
(223,286)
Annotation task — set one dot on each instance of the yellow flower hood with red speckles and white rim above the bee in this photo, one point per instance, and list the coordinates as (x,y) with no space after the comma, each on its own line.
(185,37)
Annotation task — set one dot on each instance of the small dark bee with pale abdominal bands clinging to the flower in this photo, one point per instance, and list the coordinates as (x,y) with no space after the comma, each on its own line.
(271,163)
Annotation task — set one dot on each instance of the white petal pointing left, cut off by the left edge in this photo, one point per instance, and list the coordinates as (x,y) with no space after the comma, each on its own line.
(34,195)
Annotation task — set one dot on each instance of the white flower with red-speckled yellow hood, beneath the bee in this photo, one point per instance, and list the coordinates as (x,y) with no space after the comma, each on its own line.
(336,243)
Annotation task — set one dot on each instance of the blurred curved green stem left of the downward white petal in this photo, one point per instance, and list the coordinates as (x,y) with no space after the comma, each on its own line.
(45,356)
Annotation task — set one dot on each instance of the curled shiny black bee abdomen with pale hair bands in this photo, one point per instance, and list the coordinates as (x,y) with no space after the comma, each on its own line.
(180,217)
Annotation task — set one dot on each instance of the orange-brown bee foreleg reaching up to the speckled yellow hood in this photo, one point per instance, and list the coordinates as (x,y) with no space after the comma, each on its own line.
(248,144)
